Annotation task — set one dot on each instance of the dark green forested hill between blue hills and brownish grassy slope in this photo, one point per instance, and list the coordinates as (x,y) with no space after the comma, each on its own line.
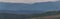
(23,16)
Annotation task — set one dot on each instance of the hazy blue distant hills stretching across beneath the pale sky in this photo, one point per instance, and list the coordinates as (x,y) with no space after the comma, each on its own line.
(40,7)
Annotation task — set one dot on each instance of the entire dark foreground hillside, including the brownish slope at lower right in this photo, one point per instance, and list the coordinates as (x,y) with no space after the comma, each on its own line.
(44,15)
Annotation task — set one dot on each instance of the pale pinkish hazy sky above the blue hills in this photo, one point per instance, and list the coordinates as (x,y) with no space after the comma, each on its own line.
(26,1)
